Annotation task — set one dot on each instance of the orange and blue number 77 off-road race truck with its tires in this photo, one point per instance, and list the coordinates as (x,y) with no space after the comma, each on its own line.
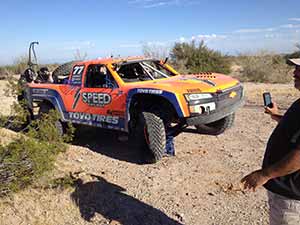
(144,97)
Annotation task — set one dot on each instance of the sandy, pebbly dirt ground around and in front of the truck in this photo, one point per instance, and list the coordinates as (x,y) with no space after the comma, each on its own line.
(197,186)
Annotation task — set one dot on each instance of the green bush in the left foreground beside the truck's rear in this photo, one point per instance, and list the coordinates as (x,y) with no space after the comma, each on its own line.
(33,152)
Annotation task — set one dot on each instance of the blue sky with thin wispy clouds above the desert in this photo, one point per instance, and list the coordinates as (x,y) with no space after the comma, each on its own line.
(101,27)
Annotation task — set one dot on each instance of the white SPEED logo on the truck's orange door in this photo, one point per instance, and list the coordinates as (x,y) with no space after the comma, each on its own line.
(96,99)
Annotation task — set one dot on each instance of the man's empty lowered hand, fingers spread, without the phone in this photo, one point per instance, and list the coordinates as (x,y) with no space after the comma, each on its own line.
(254,180)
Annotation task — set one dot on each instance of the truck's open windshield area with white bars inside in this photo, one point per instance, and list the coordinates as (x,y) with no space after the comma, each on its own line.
(142,71)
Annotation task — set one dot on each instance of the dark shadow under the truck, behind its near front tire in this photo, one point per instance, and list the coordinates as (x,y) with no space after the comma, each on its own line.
(108,143)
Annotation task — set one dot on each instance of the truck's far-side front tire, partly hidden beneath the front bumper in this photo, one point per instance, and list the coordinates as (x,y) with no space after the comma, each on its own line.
(217,127)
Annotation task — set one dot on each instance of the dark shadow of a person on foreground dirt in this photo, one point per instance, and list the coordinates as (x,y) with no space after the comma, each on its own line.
(111,202)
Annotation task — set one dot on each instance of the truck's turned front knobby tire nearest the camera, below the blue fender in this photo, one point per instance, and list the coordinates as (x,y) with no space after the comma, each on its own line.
(150,136)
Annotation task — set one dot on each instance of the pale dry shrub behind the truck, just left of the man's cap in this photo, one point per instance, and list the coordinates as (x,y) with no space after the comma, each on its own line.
(263,67)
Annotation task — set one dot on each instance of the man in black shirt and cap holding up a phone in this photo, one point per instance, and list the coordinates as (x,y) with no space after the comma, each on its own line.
(280,173)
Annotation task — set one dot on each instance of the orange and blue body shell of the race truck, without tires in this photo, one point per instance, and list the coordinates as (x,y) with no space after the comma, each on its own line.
(213,95)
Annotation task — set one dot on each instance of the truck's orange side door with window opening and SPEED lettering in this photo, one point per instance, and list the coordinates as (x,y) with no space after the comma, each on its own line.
(99,102)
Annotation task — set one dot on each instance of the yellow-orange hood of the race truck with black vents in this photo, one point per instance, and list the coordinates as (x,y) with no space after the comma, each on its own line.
(192,83)
